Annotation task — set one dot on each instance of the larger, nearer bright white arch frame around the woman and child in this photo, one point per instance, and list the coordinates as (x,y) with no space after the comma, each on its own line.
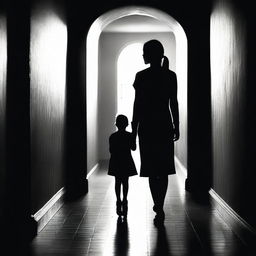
(92,79)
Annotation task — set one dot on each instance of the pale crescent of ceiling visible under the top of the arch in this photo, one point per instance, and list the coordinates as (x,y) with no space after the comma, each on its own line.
(137,23)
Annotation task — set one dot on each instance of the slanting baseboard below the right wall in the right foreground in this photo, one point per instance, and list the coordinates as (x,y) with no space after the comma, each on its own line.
(237,224)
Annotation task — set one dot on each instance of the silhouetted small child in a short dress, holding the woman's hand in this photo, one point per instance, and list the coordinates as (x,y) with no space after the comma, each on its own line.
(121,164)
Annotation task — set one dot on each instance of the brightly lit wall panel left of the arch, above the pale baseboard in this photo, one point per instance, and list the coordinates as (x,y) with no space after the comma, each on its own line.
(48,83)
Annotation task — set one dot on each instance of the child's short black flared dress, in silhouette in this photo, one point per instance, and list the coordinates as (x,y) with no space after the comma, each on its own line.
(121,163)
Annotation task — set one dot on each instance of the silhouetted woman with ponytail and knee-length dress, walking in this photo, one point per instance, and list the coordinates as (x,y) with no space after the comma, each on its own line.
(156,121)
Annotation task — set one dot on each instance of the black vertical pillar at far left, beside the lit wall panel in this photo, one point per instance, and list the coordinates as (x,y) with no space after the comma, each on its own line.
(16,145)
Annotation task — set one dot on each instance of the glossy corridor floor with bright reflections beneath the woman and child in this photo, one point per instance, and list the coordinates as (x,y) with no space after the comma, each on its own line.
(90,226)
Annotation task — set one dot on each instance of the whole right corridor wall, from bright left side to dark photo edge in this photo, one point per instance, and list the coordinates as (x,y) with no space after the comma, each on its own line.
(233,107)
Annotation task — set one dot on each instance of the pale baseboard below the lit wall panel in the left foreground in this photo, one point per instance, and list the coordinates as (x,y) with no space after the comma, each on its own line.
(43,216)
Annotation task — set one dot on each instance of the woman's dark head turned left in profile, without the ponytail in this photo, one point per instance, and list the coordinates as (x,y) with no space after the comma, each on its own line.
(153,51)
